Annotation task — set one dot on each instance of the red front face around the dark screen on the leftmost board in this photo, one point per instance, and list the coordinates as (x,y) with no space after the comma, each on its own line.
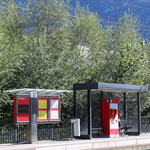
(23,117)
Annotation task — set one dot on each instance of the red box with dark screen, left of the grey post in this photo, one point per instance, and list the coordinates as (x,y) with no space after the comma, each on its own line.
(21,109)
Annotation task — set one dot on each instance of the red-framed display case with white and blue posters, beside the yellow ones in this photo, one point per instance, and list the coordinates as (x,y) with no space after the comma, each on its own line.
(54,109)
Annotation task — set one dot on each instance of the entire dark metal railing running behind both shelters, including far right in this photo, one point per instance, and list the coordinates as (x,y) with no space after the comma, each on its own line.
(10,133)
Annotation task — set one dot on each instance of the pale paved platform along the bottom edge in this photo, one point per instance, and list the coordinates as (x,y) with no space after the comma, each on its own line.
(141,142)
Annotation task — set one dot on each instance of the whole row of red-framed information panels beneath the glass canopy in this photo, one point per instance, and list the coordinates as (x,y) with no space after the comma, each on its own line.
(47,109)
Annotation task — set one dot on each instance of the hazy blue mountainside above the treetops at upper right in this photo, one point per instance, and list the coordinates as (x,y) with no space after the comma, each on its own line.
(111,10)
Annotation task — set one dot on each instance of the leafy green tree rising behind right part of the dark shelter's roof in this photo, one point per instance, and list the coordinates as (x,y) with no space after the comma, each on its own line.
(126,53)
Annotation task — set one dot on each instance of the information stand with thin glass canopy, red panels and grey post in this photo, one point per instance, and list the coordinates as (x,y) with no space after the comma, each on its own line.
(36,106)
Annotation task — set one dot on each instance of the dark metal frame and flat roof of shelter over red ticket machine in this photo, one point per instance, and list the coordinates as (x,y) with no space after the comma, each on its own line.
(107,87)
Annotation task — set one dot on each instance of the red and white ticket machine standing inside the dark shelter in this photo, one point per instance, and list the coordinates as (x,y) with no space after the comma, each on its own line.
(110,119)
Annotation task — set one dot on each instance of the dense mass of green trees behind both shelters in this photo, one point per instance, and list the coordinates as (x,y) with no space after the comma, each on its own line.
(49,44)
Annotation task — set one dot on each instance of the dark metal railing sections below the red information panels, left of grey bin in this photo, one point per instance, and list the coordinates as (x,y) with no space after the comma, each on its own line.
(10,133)
